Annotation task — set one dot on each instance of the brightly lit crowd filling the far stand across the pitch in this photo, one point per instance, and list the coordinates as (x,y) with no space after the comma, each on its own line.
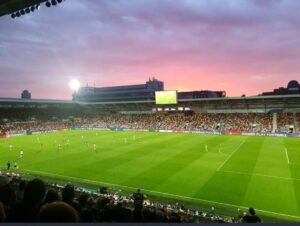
(238,122)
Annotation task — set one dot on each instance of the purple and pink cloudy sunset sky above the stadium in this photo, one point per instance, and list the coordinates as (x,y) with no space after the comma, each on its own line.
(240,46)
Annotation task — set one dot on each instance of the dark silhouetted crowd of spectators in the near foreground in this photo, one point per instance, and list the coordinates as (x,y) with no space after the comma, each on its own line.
(37,201)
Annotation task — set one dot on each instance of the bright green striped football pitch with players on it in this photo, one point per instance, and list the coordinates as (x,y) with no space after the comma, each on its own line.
(227,172)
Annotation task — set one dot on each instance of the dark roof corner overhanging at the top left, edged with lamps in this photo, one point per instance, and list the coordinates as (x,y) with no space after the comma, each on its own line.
(10,6)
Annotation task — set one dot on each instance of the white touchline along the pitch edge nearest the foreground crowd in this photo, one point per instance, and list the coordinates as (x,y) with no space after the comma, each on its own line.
(163,193)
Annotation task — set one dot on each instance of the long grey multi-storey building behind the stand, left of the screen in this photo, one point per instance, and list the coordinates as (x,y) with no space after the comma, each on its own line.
(120,93)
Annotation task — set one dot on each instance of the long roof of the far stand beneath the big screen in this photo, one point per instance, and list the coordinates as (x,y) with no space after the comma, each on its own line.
(290,103)
